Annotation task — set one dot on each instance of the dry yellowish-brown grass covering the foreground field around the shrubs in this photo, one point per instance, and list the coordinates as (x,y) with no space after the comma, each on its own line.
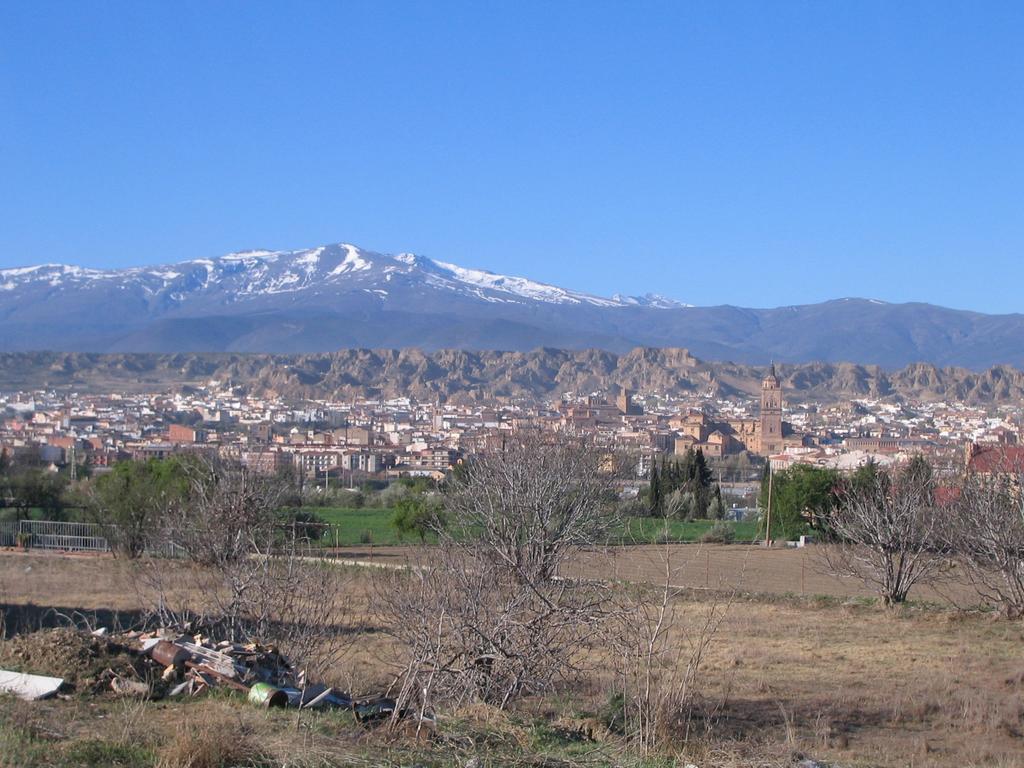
(843,682)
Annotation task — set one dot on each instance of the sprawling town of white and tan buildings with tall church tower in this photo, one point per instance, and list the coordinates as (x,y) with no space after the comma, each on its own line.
(346,444)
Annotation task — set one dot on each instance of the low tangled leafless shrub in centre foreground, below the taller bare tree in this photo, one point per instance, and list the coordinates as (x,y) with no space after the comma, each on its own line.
(470,630)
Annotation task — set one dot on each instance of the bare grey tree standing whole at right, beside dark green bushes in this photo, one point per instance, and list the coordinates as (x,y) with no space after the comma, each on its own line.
(886,532)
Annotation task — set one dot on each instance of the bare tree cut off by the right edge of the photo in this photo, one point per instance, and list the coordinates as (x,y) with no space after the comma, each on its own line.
(988,532)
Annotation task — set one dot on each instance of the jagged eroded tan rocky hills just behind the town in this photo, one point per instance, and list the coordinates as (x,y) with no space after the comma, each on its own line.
(462,376)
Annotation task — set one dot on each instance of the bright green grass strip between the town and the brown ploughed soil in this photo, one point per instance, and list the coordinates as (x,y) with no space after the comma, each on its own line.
(352,528)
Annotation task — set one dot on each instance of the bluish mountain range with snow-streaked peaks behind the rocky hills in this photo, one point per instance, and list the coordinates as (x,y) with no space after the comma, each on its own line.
(339,296)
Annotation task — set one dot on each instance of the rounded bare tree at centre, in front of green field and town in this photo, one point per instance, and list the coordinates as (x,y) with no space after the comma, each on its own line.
(532,502)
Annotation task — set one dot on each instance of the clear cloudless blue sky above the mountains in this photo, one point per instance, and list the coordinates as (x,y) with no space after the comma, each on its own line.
(753,154)
